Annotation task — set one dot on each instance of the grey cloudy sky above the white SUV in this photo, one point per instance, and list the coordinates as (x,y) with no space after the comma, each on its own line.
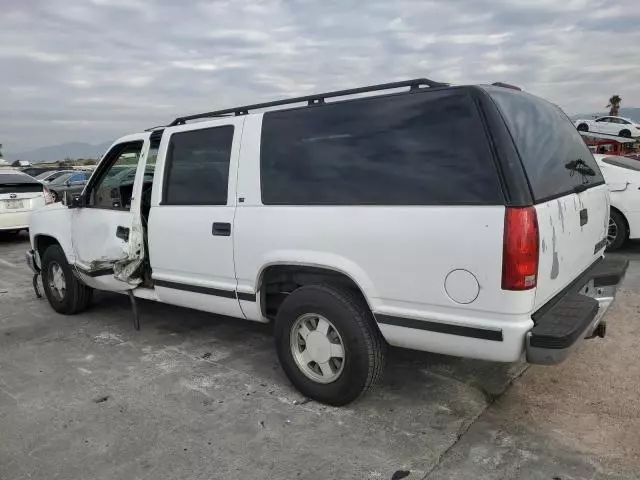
(93,70)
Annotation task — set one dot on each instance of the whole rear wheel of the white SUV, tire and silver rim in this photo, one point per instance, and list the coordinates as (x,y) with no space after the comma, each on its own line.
(329,344)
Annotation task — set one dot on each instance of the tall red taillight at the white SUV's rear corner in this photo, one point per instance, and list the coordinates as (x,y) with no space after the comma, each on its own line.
(520,249)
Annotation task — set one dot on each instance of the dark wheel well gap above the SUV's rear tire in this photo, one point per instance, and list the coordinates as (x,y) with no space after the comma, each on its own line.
(278,281)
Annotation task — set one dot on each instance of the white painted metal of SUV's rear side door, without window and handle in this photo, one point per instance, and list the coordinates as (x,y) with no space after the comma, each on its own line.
(183,248)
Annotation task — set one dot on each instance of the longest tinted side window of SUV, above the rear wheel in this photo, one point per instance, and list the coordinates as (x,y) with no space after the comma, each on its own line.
(426,148)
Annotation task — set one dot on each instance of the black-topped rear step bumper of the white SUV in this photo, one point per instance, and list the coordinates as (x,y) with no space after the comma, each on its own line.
(575,314)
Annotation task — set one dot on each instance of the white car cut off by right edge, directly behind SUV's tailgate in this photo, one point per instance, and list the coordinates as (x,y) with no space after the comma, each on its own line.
(622,175)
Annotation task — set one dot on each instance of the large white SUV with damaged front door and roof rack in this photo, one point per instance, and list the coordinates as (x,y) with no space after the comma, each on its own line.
(467,220)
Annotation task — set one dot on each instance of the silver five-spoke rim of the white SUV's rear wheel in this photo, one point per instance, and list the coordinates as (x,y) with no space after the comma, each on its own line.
(317,348)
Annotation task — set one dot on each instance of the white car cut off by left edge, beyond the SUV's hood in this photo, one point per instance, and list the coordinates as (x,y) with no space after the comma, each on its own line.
(20,195)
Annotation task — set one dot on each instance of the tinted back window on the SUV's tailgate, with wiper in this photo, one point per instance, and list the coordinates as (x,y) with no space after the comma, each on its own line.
(547,142)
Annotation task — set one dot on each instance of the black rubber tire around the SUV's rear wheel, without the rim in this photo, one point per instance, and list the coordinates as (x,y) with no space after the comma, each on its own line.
(365,348)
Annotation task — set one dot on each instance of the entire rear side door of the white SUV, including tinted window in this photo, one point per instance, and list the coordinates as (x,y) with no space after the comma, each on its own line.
(192,215)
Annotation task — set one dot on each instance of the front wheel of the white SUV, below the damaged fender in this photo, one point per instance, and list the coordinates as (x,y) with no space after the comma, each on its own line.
(66,294)
